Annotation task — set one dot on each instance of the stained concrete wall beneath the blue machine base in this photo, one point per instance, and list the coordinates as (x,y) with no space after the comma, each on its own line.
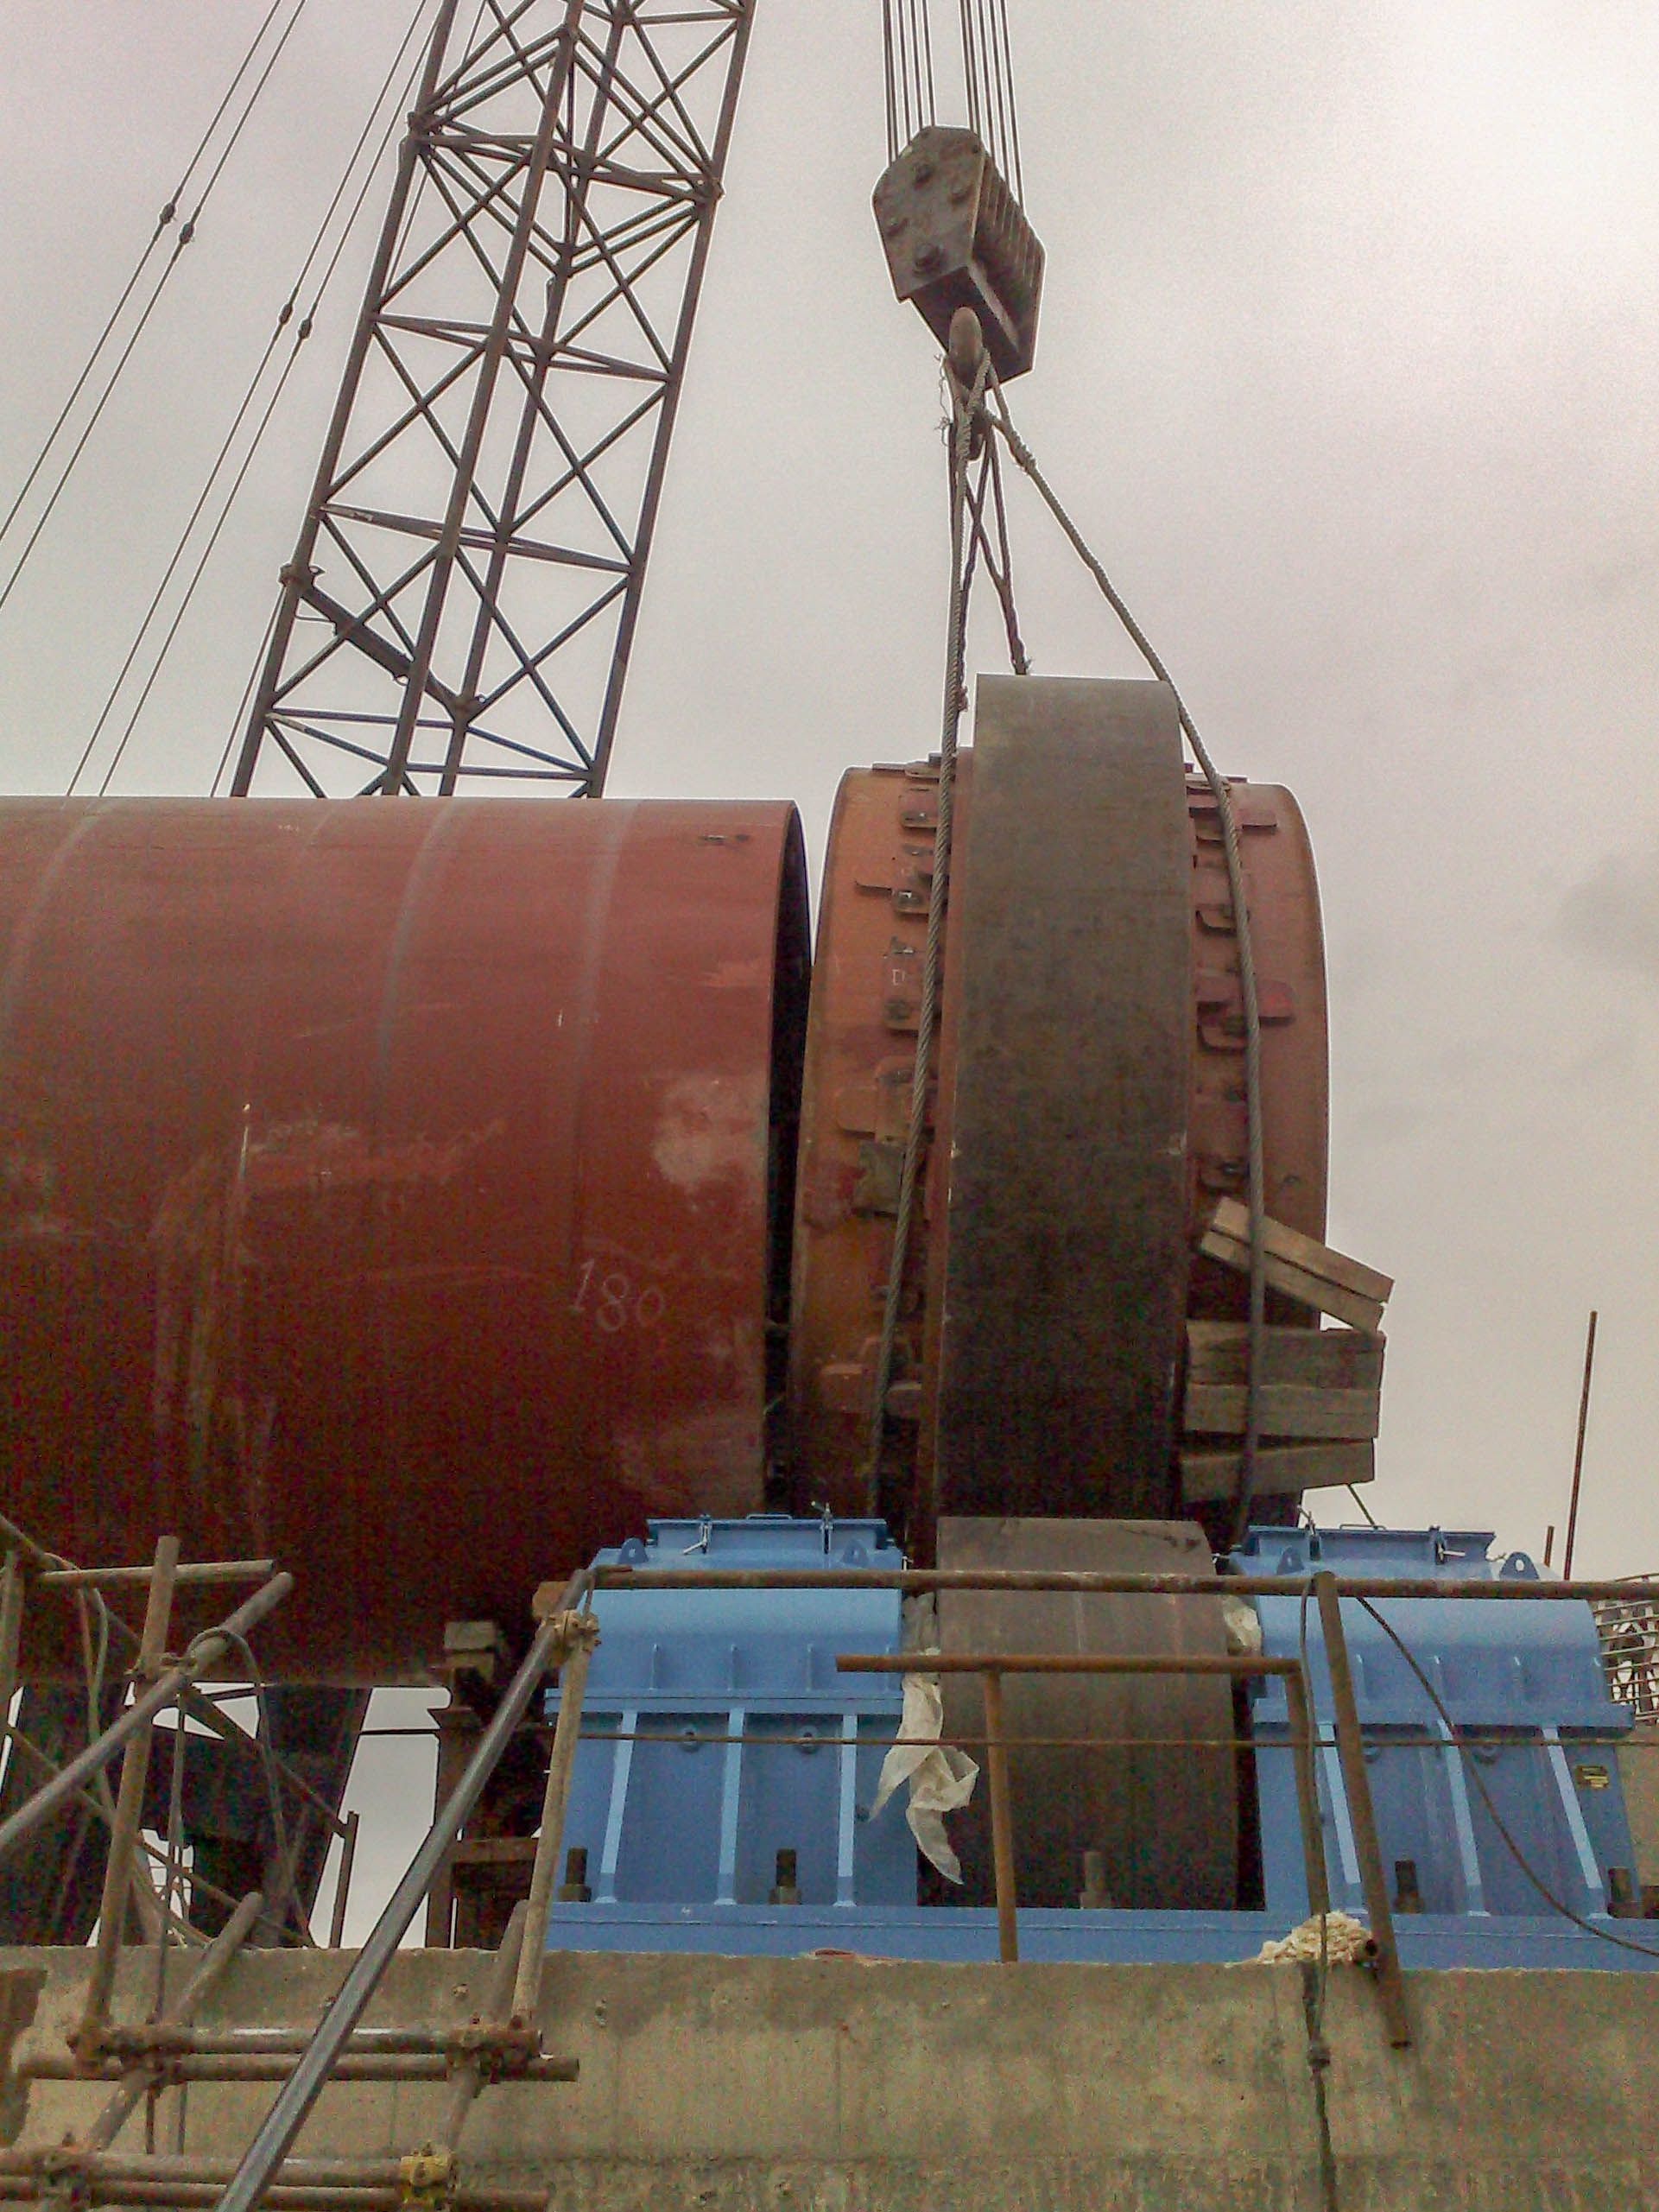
(839,2087)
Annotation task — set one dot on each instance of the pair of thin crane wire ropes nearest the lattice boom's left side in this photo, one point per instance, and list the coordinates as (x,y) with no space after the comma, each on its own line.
(227,448)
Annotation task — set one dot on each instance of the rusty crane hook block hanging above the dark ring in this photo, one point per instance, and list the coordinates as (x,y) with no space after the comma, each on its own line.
(957,238)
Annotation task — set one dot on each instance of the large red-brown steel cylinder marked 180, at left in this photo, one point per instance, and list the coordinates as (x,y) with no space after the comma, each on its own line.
(393,1189)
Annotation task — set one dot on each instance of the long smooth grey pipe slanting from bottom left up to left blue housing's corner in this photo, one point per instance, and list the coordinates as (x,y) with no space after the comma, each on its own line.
(302,2089)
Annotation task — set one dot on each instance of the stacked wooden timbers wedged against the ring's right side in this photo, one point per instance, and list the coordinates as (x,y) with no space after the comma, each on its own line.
(1319,1388)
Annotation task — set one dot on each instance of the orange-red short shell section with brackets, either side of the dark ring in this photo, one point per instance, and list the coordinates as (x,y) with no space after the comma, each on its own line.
(859,1081)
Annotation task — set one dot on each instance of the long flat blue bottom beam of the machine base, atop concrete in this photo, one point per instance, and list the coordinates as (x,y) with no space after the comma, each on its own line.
(1100,1939)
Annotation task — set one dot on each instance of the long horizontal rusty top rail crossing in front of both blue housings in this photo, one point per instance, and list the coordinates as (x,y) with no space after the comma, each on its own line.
(1085,1585)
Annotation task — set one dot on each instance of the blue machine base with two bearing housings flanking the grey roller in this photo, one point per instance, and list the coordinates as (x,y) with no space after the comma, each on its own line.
(727,1757)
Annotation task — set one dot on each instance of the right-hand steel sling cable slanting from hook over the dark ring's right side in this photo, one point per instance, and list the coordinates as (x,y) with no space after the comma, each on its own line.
(1258,1176)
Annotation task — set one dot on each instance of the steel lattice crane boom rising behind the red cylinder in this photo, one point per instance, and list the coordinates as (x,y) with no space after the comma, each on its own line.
(466,589)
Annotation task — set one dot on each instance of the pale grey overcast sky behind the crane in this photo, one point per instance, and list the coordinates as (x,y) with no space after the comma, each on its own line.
(1348,368)
